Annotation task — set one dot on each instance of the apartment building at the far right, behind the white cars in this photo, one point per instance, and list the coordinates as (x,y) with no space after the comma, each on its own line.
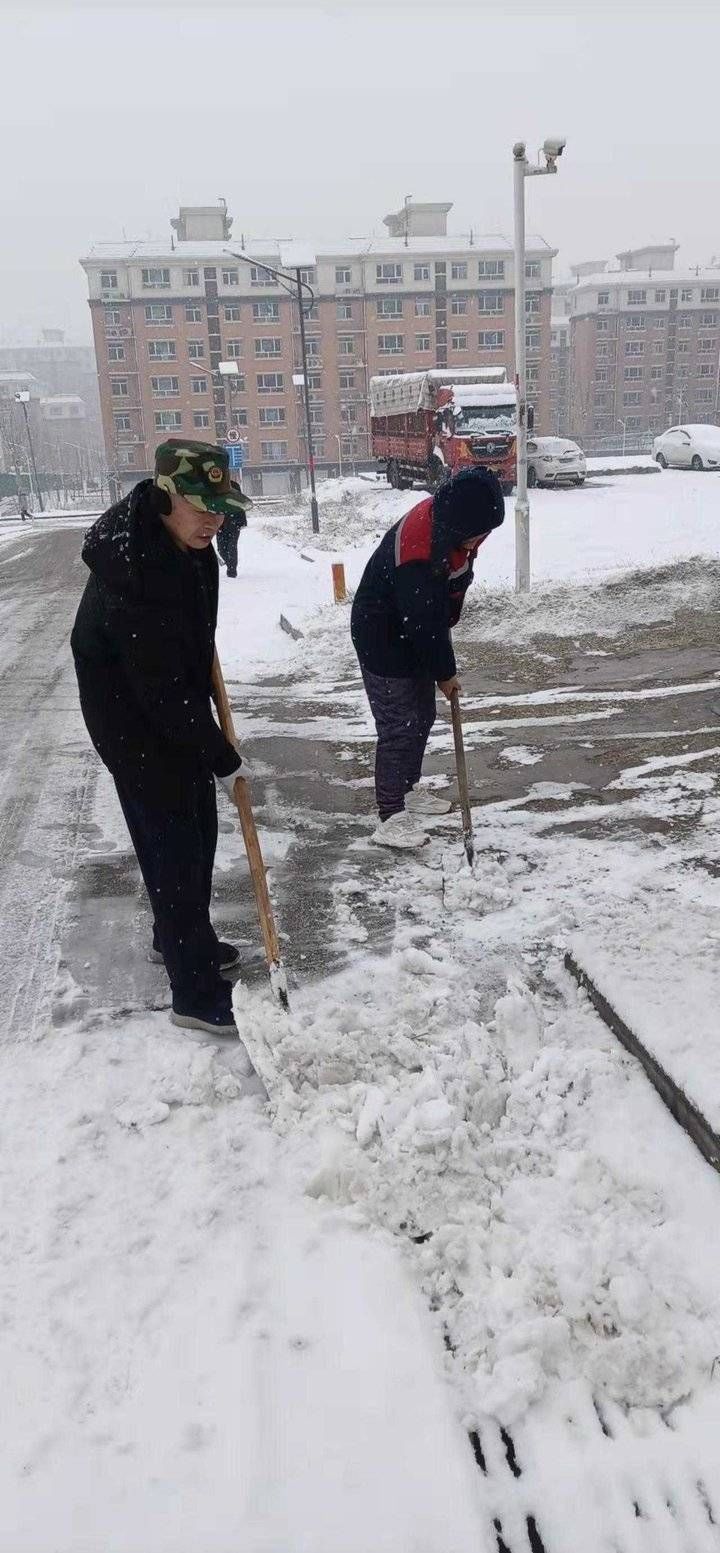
(645,347)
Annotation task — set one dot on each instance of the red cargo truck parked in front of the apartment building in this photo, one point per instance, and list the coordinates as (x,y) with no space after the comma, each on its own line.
(426,426)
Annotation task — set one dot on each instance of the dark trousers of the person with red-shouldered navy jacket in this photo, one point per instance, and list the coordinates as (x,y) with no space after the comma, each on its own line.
(404,712)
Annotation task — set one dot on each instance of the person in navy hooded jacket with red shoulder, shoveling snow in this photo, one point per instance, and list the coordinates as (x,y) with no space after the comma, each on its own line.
(409,600)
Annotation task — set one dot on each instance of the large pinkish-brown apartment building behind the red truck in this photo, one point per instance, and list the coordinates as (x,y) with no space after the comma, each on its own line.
(167,314)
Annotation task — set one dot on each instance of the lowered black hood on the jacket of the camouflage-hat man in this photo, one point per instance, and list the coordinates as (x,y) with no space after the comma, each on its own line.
(128,543)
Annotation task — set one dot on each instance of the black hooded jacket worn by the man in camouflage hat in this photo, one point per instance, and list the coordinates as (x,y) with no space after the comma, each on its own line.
(144,645)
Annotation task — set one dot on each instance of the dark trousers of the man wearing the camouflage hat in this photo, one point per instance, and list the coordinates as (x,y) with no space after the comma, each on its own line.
(176,853)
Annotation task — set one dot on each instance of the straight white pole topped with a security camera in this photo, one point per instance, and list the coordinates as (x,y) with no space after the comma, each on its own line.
(525,170)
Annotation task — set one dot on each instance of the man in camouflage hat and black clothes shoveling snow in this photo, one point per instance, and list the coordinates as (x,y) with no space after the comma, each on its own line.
(144,647)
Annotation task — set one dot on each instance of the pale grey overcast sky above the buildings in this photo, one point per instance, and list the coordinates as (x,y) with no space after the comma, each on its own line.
(316,120)
